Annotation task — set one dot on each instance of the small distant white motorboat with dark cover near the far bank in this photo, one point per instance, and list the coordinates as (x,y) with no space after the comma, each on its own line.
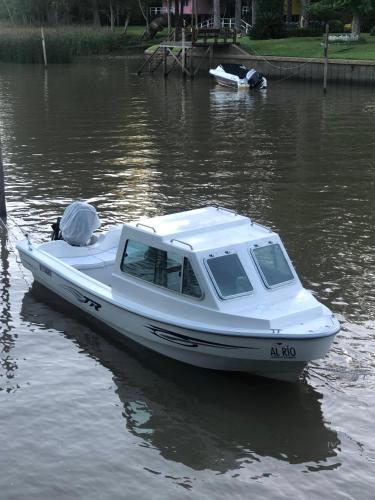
(238,76)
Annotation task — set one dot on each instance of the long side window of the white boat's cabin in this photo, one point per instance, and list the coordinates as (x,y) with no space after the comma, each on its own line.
(167,269)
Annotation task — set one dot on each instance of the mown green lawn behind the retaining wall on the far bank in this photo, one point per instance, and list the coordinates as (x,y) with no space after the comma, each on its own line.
(311,47)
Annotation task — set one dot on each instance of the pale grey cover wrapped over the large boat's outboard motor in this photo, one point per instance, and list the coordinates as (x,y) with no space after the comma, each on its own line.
(78,223)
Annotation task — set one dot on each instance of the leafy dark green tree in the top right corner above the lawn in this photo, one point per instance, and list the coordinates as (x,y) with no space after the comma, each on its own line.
(357,9)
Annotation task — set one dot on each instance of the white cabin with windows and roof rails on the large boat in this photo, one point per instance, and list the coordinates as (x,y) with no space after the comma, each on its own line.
(209,254)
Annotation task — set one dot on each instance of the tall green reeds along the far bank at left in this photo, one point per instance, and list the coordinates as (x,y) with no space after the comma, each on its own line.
(23,44)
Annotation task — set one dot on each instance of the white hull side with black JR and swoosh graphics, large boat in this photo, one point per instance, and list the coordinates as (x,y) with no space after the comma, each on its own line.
(272,356)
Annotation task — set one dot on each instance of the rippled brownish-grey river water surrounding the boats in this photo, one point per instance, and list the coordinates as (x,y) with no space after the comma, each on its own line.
(85,417)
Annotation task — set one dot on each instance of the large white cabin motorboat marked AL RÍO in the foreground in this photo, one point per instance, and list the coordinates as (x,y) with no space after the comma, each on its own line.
(207,287)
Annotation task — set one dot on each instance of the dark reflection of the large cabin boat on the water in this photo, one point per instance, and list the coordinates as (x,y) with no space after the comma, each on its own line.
(200,418)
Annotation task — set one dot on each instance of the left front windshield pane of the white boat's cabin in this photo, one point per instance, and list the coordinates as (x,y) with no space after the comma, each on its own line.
(229,276)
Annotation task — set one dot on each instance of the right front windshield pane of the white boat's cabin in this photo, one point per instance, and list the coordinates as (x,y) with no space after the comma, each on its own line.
(272,265)
